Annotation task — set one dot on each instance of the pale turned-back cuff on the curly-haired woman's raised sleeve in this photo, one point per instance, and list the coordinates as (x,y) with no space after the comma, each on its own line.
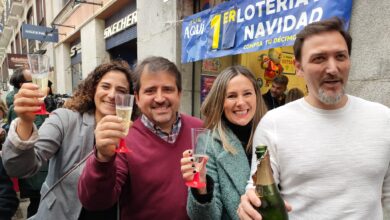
(17,142)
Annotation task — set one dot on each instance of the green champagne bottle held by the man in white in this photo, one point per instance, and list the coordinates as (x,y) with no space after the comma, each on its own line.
(272,205)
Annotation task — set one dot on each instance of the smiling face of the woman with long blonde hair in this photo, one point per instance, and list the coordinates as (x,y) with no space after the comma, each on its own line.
(240,101)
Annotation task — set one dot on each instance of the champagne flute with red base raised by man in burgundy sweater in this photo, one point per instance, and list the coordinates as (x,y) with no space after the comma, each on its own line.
(124,108)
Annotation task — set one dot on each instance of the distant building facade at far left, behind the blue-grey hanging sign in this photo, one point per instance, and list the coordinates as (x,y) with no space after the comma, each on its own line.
(13,47)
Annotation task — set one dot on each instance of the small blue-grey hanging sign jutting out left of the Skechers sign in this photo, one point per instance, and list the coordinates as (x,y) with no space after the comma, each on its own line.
(40,33)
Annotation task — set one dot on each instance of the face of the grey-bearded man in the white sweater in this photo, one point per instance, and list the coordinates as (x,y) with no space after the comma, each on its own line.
(325,65)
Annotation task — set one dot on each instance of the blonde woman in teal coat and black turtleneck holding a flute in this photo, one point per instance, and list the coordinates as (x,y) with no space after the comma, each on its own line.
(232,111)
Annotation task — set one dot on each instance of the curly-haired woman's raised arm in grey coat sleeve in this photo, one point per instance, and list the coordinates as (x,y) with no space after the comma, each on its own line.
(25,149)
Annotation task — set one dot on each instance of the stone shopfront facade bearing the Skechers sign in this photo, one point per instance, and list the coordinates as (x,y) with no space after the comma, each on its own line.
(92,32)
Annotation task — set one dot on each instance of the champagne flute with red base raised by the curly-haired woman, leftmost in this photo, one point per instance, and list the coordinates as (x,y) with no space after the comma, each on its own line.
(39,66)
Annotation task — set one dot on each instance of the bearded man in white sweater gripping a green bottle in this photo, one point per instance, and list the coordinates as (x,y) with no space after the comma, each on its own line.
(338,165)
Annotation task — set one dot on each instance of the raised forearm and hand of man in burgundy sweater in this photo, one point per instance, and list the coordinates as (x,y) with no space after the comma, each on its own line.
(106,171)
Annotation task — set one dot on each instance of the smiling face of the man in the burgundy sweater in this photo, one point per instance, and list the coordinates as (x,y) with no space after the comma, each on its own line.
(159,98)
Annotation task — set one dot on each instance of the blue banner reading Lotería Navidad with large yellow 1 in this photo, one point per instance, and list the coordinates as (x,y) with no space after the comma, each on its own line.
(239,26)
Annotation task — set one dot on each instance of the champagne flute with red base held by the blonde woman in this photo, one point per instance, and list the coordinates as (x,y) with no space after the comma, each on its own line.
(199,140)
